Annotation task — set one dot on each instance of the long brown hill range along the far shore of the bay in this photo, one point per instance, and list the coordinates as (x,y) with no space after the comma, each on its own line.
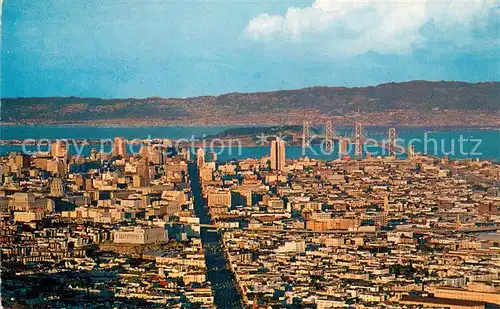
(410,103)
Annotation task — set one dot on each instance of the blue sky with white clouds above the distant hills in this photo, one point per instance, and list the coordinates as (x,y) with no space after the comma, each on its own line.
(142,48)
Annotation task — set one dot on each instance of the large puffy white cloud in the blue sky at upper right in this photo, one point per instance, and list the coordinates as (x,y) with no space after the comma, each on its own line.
(379,25)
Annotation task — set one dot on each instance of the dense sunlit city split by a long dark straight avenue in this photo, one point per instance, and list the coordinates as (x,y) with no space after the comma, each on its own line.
(371,231)
